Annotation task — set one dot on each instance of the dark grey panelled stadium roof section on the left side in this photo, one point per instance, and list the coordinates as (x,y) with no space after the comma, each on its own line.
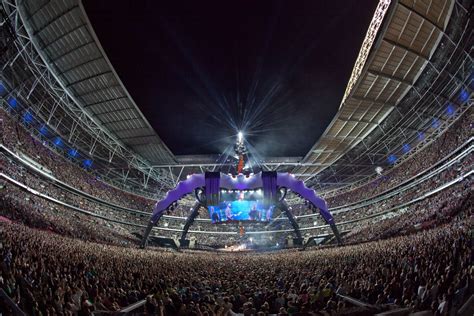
(67,42)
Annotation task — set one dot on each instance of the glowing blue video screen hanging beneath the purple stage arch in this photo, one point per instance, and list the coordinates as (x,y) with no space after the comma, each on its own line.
(240,206)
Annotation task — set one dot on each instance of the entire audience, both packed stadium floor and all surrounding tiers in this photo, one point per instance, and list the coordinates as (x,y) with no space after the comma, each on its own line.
(58,261)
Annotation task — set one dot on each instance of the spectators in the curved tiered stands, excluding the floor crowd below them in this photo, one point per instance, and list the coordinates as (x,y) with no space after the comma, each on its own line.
(12,195)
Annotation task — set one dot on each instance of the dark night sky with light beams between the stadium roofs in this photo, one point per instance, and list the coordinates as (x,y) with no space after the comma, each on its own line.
(200,70)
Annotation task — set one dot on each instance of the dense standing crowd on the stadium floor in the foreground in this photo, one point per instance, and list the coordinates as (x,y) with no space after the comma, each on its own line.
(48,274)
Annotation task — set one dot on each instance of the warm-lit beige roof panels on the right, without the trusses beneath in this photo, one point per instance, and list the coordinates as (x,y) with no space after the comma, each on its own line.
(383,74)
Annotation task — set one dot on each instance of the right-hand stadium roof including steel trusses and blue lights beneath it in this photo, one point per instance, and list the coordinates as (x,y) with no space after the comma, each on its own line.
(415,82)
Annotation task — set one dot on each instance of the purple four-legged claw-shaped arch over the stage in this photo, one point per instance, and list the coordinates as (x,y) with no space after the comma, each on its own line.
(207,188)
